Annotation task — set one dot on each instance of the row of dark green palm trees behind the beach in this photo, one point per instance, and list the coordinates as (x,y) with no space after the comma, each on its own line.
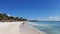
(5,17)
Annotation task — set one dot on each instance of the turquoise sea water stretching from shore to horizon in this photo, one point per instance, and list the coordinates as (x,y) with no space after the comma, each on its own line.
(49,27)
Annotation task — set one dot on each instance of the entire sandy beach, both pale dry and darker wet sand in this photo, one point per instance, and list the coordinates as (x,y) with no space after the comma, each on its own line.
(16,28)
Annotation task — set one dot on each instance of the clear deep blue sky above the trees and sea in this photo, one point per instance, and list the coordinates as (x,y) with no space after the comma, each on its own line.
(32,9)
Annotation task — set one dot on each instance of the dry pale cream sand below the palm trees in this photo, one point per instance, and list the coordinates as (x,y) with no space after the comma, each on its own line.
(10,28)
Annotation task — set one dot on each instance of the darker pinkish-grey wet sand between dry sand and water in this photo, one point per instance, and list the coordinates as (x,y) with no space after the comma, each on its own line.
(26,29)
